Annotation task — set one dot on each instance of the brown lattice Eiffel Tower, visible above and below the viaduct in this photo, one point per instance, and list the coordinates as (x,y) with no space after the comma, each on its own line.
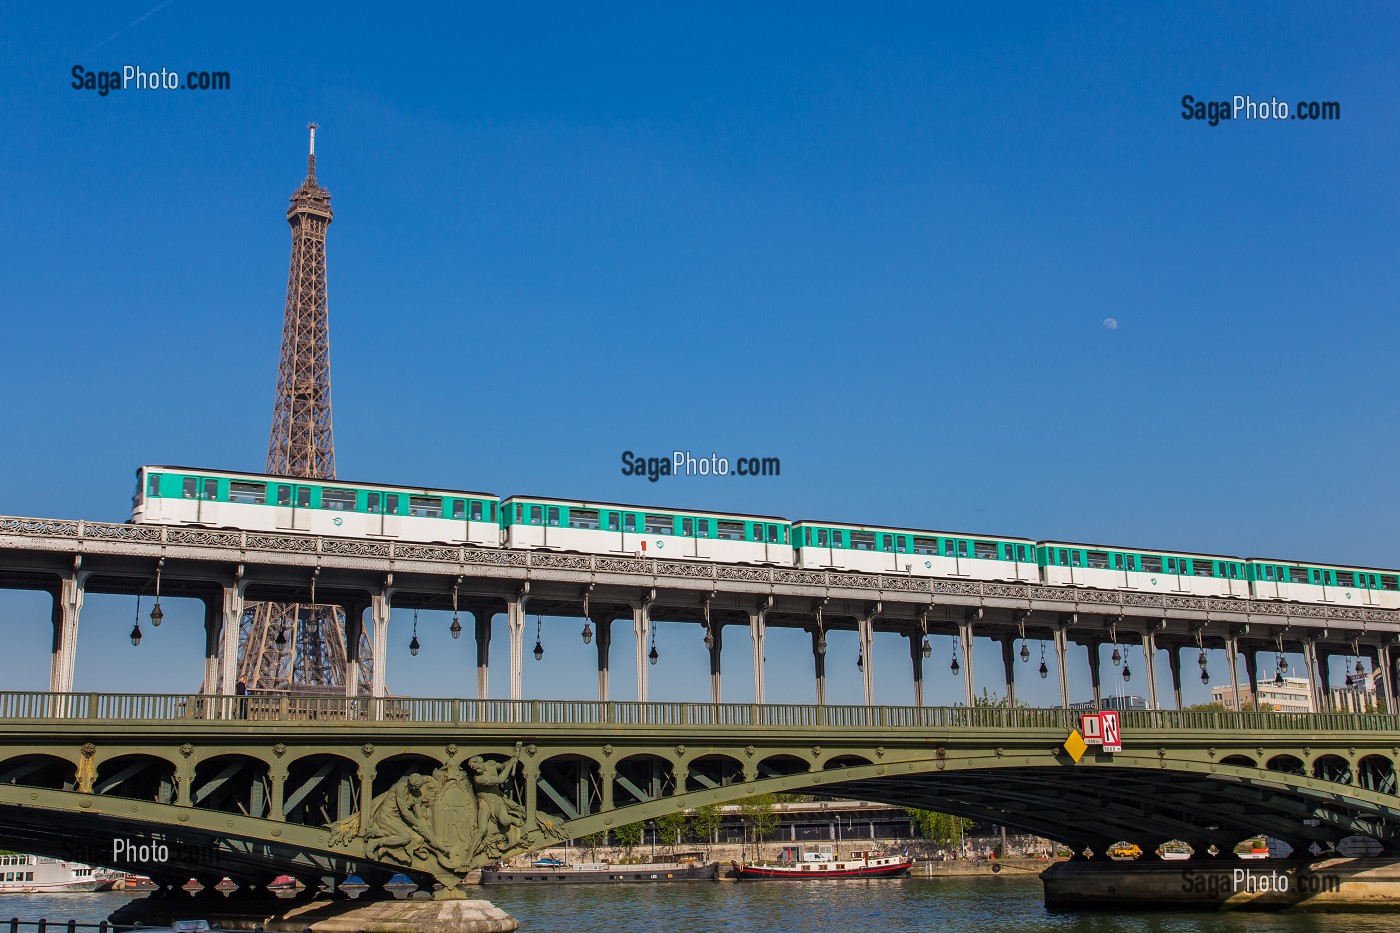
(302,648)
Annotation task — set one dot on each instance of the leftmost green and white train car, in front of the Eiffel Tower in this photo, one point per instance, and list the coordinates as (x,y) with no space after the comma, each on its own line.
(255,502)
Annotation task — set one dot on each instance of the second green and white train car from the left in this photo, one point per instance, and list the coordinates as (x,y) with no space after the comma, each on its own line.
(611,529)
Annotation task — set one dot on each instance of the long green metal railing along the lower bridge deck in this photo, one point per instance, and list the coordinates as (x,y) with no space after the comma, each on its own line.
(173,708)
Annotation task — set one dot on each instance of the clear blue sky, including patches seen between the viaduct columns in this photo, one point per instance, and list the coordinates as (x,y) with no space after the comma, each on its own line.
(880,244)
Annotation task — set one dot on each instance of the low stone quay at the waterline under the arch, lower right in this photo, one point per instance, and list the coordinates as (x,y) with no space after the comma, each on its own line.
(1223,885)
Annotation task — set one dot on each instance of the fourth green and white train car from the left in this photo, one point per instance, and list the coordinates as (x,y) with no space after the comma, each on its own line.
(1108,568)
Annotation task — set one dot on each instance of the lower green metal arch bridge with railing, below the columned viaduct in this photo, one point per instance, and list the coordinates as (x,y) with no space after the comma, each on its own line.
(323,787)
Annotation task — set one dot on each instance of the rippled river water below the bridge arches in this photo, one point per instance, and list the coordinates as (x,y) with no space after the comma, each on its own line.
(939,906)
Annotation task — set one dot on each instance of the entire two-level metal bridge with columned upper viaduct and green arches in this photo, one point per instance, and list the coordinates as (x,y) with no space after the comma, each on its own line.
(251,788)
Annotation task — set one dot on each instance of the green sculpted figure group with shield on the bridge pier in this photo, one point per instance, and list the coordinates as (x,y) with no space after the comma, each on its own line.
(447,823)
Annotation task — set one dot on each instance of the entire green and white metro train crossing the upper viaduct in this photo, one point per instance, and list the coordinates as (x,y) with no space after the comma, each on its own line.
(254,502)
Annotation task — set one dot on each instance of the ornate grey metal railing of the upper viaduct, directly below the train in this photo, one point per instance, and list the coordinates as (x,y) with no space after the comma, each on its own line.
(716,575)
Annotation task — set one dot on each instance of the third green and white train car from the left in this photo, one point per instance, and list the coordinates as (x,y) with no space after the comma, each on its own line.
(822,546)
